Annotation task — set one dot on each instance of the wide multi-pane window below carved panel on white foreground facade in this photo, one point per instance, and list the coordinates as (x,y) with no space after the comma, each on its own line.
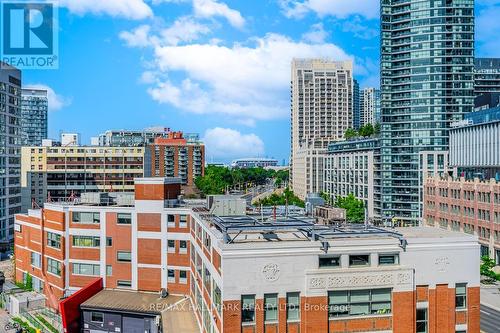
(359,302)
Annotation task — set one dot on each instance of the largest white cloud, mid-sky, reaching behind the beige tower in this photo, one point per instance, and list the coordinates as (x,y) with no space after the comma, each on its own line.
(245,82)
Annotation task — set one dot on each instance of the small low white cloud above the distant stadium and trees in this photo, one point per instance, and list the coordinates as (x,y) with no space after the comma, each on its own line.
(229,143)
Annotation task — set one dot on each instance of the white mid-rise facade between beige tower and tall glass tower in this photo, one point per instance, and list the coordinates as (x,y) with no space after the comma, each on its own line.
(352,167)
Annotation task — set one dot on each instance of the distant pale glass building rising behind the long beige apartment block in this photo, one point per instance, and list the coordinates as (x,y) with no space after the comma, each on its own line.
(130,138)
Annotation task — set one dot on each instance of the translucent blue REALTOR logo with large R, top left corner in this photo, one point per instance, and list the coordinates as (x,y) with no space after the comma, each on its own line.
(29,34)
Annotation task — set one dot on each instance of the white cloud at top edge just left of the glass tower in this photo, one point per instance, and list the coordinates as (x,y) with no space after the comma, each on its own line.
(337,8)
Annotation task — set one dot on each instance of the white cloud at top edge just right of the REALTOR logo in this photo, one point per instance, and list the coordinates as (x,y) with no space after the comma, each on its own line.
(130,9)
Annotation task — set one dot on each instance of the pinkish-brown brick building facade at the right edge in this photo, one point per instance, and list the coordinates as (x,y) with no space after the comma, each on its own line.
(470,206)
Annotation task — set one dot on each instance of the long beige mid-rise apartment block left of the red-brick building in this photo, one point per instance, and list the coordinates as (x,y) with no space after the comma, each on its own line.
(60,173)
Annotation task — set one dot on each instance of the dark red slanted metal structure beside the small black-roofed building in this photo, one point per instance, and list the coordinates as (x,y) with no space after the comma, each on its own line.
(70,307)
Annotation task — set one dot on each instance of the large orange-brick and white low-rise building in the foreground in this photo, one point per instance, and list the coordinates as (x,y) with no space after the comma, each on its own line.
(242,275)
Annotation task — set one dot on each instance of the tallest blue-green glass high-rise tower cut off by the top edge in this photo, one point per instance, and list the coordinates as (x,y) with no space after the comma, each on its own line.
(427,81)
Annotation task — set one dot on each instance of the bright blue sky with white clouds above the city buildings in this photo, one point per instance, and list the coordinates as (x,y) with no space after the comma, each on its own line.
(220,68)
